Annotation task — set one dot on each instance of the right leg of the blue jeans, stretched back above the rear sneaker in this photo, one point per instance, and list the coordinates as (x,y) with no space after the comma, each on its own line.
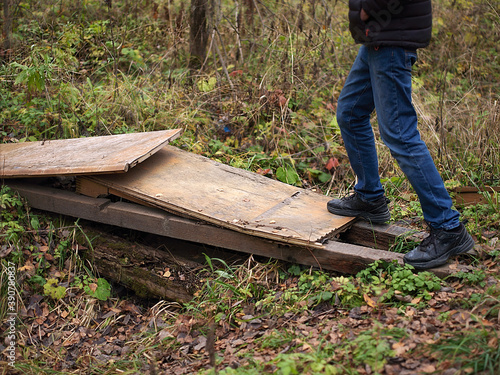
(390,71)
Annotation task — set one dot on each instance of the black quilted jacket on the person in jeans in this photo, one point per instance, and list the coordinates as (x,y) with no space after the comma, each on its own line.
(404,23)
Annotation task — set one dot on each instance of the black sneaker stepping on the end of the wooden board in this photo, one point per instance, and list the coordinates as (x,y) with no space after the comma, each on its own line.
(355,206)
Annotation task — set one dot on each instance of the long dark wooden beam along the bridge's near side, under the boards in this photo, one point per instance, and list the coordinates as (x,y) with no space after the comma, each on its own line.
(333,255)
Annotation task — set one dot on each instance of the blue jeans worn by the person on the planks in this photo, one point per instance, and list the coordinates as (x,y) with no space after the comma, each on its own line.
(380,79)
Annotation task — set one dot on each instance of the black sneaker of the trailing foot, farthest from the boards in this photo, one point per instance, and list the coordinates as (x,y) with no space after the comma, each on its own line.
(439,246)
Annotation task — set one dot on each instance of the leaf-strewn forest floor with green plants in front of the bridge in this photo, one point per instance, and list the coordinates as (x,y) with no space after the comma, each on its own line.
(260,316)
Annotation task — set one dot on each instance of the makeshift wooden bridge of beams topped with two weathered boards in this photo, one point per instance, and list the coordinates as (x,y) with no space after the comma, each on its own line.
(181,195)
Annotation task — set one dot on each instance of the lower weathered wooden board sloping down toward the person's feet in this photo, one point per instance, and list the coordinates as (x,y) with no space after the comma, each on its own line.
(197,187)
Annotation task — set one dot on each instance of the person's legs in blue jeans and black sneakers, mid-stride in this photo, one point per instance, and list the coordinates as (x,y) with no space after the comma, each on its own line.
(381,78)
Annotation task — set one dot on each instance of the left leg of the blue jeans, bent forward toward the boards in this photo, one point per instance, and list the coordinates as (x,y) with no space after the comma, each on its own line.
(354,108)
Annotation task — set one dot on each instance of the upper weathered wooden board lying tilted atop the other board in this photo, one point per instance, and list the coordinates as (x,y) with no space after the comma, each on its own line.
(92,155)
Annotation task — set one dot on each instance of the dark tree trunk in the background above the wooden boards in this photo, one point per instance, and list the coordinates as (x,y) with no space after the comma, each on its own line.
(198,34)
